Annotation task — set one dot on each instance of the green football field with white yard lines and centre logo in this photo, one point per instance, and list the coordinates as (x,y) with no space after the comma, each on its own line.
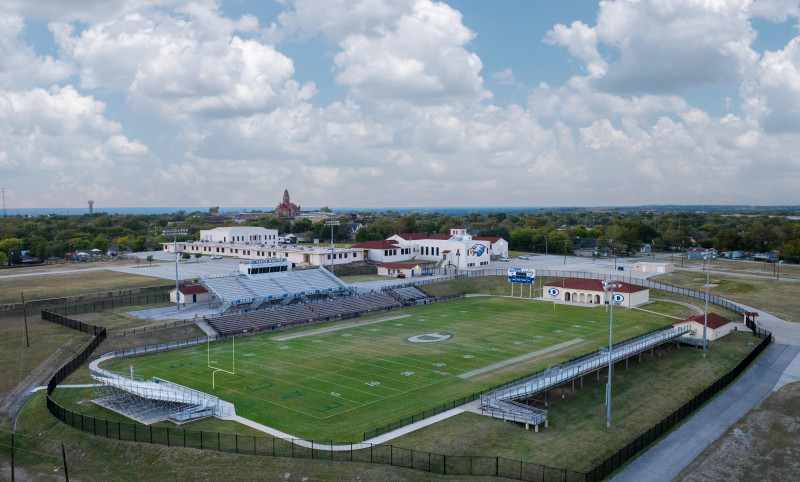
(334,381)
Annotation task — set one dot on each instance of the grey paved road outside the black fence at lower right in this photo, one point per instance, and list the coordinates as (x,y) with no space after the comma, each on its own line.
(669,457)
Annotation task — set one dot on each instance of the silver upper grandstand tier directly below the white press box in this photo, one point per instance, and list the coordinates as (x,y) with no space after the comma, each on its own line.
(239,291)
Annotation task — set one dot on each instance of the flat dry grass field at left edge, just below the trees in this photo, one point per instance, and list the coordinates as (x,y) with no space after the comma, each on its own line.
(70,284)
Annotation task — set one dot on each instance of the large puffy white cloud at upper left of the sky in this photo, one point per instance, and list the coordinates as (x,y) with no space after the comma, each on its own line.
(183,67)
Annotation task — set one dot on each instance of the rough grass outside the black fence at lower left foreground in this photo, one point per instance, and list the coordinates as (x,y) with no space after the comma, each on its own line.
(38,457)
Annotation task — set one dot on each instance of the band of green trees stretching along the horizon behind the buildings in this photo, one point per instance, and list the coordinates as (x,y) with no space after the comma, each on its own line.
(618,231)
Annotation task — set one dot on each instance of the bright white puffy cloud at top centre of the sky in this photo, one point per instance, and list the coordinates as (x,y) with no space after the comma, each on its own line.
(412,50)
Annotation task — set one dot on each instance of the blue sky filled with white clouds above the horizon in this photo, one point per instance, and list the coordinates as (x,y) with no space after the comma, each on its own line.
(399,102)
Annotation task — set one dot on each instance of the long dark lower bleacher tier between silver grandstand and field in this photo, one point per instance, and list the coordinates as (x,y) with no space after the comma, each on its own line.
(280,316)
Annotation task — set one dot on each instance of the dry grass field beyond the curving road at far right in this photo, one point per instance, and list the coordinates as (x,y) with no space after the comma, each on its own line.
(776,297)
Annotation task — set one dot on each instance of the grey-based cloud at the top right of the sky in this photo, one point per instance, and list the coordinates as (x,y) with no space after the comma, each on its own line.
(663,47)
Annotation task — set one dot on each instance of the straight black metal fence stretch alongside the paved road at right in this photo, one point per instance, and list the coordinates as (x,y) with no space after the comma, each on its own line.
(616,460)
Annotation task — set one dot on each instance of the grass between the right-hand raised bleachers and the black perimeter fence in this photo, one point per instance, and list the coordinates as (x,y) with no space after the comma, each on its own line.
(577,438)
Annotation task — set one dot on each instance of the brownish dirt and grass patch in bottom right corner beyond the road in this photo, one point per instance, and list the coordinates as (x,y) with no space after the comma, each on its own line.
(763,445)
